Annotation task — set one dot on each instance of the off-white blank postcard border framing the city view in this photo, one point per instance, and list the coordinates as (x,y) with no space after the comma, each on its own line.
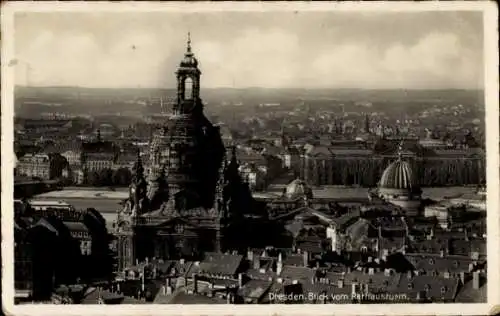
(490,12)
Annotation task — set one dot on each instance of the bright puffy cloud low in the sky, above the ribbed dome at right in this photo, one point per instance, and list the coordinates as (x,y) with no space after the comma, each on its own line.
(435,61)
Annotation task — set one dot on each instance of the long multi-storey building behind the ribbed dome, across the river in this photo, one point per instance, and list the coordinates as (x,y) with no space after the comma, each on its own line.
(331,165)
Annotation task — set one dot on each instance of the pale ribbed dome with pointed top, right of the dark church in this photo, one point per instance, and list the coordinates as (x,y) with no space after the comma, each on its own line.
(399,175)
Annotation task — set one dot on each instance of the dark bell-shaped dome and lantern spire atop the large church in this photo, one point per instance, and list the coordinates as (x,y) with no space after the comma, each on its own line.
(188,147)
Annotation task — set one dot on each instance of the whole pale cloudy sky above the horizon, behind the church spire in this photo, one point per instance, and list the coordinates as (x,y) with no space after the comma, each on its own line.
(248,49)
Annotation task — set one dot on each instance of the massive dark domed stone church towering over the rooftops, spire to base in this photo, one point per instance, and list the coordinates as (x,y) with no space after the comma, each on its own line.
(178,211)
